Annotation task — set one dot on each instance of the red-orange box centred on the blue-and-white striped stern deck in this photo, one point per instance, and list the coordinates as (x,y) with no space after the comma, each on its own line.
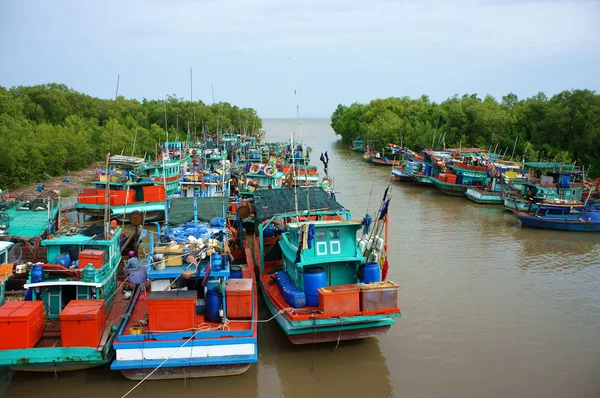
(172,311)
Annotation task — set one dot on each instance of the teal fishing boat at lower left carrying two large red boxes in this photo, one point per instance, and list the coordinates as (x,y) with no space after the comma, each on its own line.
(72,307)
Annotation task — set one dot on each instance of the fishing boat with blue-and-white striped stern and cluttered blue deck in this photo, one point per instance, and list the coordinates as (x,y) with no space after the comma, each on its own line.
(199,317)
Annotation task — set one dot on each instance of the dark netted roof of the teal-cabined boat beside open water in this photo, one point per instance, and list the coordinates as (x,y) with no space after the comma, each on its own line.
(274,202)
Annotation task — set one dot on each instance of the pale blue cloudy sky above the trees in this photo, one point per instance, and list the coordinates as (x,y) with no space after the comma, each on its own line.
(258,53)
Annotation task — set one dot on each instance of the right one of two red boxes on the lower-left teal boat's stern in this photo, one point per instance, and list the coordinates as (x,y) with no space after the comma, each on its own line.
(82,323)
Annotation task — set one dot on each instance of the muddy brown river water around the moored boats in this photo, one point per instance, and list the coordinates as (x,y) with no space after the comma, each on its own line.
(489,309)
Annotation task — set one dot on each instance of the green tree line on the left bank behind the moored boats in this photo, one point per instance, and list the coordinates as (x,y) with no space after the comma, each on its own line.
(47,130)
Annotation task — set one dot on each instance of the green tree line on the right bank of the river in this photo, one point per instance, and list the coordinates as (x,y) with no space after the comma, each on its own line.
(565,127)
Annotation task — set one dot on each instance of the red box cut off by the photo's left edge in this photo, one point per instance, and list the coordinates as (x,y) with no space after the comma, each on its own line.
(21,324)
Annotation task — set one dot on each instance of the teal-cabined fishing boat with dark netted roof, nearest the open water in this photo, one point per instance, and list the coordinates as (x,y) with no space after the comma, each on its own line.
(326,287)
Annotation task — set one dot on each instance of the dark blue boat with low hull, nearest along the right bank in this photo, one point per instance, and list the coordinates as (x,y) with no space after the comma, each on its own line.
(564,218)
